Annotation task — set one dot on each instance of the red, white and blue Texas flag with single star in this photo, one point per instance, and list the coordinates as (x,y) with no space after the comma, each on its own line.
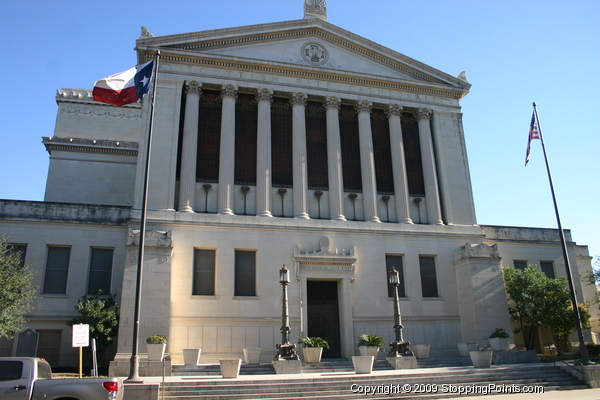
(125,87)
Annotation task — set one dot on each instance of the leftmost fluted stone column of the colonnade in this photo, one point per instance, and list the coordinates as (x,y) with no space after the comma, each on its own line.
(189,149)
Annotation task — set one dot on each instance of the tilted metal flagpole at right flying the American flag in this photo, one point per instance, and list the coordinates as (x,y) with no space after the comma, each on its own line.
(582,349)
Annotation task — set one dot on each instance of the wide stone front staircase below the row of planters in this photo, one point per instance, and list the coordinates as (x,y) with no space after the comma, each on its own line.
(335,381)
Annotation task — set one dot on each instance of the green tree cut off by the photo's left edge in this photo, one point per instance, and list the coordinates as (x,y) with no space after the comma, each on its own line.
(16,290)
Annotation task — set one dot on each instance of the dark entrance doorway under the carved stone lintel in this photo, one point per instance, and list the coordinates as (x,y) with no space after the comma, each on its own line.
(323,315)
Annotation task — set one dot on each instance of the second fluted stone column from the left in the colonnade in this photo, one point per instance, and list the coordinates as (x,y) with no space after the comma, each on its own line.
(227,151)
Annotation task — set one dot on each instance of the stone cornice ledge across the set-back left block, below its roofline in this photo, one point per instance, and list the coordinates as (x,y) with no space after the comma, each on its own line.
(90,146)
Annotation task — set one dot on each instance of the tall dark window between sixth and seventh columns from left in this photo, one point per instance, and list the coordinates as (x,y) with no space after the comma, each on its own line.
(382,152)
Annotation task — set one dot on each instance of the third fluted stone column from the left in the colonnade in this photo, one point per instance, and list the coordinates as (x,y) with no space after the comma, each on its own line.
(264,98)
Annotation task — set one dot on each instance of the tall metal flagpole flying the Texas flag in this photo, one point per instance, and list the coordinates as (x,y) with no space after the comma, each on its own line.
(134,376)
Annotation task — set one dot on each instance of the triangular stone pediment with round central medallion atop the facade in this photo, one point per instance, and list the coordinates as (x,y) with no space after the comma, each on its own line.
(310,44)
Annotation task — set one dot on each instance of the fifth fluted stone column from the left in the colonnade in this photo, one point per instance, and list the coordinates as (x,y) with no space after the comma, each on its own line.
(334,160)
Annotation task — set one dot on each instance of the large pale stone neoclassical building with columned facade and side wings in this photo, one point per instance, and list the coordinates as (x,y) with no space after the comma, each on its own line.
(295,143)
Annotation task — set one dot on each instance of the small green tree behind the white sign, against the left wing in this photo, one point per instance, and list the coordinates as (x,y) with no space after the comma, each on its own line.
(101,313)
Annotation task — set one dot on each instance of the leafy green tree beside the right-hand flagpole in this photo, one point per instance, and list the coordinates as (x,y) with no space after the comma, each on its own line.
(538,301)
